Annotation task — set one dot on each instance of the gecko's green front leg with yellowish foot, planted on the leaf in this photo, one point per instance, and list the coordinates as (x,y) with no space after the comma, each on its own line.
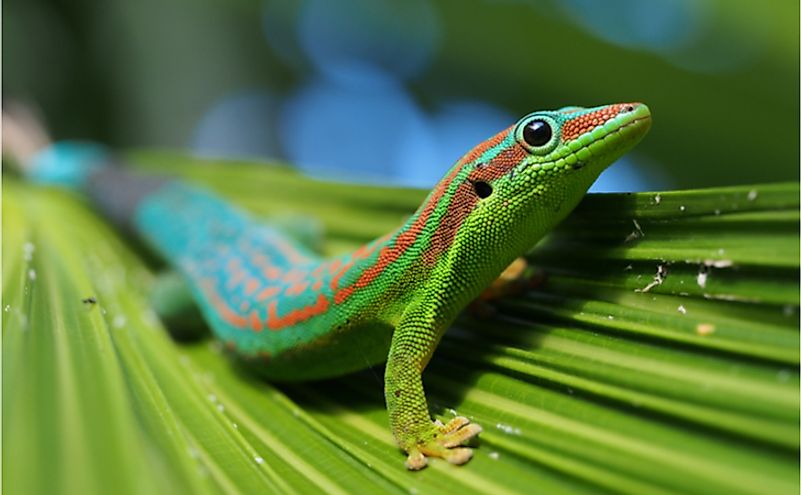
(413,343)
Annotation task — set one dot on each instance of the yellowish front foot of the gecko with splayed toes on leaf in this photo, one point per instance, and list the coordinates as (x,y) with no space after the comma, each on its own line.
(444,441)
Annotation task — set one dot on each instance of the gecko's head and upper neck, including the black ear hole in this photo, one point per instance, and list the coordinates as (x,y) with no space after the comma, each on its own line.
(510,190)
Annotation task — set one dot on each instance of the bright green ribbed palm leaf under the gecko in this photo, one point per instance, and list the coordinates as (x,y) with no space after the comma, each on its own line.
(659,356)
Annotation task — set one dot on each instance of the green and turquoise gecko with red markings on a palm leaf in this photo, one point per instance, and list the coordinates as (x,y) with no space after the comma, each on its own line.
(298,316)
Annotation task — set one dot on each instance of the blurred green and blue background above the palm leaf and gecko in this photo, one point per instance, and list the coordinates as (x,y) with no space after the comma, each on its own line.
(395,91)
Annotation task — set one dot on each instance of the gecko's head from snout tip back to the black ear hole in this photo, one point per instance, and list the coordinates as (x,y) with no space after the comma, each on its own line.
(549,158)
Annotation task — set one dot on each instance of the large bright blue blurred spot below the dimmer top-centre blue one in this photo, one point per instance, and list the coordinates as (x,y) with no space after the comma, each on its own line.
(369,131)
